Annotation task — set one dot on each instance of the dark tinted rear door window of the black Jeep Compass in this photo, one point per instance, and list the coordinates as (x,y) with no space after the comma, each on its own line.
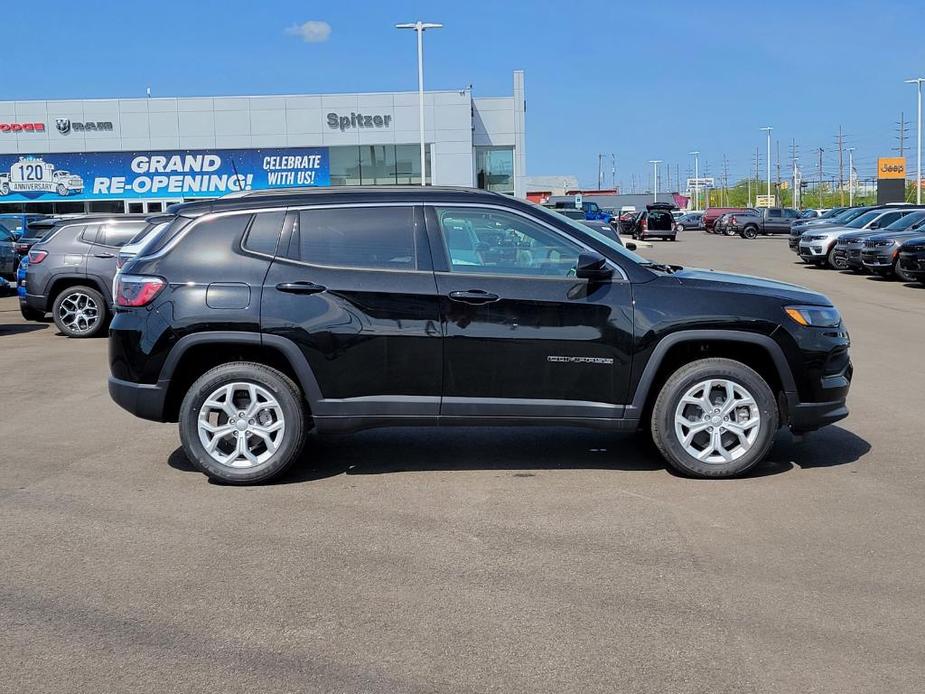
(356,237)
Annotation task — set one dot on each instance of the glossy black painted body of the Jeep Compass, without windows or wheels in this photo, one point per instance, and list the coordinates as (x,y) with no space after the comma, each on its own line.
(372,347)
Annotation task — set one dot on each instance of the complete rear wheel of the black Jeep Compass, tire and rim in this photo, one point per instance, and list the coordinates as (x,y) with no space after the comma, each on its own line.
(242,423)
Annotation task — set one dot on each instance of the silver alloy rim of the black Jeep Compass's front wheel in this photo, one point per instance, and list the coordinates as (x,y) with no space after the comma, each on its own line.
(717,421)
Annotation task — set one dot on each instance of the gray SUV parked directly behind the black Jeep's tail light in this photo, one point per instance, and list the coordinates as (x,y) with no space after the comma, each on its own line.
(70,272)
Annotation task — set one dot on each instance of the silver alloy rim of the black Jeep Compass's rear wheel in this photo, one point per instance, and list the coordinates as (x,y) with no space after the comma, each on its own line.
(241,425)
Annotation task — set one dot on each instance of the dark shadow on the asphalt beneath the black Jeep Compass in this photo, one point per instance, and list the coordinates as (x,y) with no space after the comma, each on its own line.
(382,451)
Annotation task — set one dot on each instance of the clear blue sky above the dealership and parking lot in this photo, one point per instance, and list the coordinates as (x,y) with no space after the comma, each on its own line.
(642,80)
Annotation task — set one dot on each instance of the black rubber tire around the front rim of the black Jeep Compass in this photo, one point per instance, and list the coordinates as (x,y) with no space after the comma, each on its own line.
(663,429)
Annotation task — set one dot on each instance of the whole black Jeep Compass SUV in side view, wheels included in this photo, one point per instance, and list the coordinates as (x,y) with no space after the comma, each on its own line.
(249,320)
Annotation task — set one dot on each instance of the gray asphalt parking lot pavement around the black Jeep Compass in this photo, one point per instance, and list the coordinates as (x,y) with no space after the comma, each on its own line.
(468,560)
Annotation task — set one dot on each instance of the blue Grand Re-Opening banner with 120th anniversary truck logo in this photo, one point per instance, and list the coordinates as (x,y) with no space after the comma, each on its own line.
(161,174)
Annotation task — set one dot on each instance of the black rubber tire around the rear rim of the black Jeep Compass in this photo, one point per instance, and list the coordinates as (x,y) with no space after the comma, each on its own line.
(280,386)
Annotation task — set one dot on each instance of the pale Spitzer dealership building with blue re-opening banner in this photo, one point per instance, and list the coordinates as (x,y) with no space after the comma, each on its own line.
(138,155)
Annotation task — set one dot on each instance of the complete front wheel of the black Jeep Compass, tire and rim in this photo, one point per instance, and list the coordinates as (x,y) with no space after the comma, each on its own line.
(714,418)
